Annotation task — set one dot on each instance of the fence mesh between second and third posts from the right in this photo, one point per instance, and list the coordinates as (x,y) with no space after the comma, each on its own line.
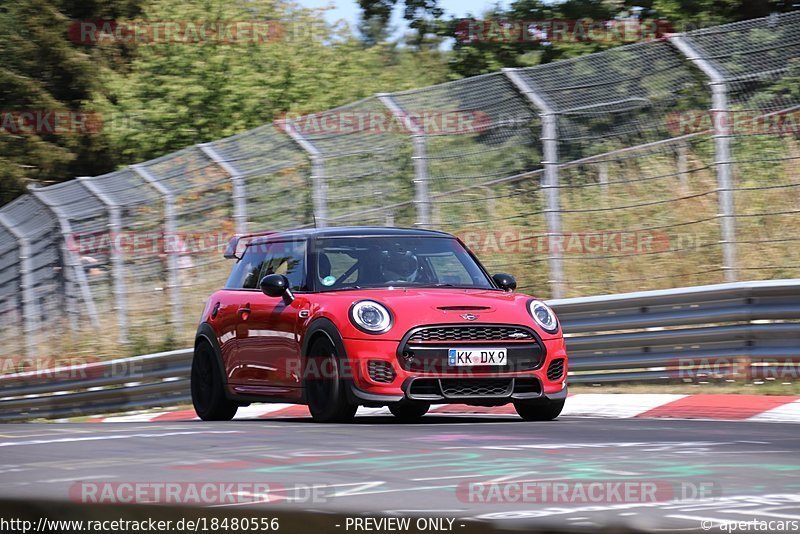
(482,142)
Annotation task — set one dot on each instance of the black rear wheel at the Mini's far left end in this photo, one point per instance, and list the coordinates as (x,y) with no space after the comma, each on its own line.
(208,390)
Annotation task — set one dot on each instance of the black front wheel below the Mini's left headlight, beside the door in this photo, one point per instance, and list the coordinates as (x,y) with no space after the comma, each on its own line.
(325,389)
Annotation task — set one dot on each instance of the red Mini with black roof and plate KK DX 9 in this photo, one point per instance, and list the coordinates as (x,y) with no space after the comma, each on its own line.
(340,317)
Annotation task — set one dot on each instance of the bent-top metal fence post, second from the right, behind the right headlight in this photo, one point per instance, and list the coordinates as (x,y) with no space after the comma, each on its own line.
(550,185)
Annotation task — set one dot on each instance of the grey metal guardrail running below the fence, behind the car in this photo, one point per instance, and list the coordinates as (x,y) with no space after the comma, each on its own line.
(740,329)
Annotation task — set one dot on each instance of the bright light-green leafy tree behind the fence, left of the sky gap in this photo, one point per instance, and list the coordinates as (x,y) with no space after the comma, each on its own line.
(176,94)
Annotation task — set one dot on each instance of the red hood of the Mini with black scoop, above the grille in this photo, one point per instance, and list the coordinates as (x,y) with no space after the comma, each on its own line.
(412,307)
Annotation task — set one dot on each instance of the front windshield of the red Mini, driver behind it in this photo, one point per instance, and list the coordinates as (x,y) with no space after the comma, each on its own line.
(392,261)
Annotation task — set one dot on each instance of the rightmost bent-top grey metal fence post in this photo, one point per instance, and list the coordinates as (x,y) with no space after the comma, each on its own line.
(722,148)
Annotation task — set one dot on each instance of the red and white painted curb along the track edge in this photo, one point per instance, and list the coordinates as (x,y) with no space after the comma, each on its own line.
(762,408)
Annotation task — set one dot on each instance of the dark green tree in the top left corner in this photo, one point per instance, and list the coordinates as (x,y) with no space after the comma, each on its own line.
(44,75)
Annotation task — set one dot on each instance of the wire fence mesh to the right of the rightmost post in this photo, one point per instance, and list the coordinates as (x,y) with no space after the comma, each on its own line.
(760,63)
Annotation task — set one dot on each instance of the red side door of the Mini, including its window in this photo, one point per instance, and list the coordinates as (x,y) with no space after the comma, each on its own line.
(269,349)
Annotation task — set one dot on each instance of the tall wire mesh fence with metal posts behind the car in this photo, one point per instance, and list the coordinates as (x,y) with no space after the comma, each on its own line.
(654,165)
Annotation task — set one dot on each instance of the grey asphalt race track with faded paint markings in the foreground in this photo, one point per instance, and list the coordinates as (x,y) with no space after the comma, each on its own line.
(748,471)
